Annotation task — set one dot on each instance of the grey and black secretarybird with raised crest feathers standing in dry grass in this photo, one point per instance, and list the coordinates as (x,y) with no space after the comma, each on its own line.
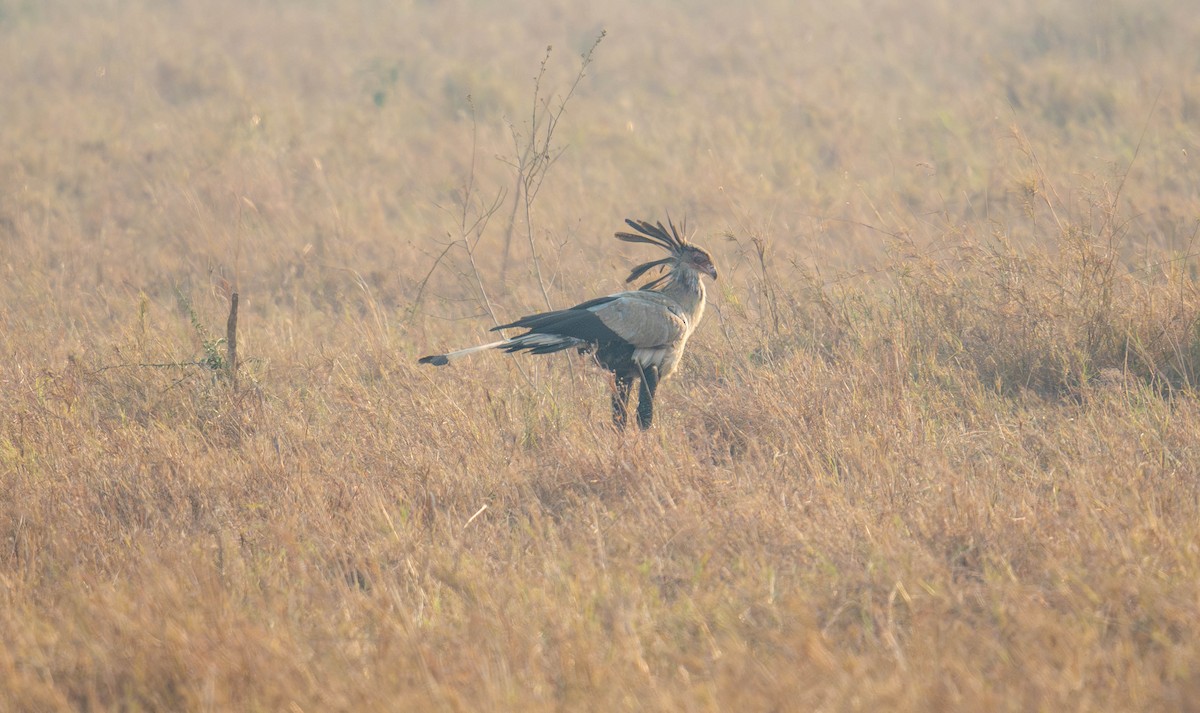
(639,334)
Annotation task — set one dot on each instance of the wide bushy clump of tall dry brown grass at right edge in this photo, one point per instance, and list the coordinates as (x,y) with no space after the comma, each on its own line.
(1052,323)
